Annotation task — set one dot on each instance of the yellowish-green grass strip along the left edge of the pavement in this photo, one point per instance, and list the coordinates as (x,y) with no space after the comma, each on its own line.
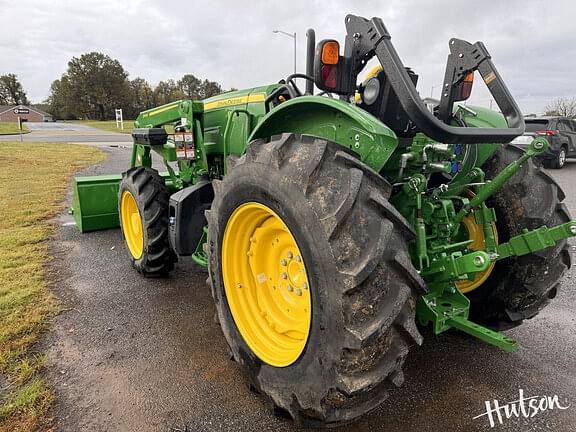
(33,184)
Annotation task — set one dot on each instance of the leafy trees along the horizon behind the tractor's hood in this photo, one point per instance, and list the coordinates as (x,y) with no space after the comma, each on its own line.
(94,85)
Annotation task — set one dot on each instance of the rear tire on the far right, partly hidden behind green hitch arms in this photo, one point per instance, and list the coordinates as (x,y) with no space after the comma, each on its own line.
(520,287)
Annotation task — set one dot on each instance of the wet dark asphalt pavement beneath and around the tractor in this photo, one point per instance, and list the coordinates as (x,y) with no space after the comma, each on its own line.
(135,354)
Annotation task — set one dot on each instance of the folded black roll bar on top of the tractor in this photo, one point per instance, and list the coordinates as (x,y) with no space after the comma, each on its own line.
(368,38)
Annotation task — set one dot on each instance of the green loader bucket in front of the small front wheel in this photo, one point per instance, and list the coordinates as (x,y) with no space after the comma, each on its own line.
(95,202)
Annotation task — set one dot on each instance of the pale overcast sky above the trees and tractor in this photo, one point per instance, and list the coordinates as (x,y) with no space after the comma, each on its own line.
(533,43)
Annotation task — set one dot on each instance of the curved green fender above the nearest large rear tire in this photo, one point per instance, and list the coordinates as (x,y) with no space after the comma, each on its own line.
(333,120)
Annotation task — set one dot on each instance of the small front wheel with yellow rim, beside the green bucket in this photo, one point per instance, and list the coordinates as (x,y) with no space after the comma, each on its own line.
(143,210)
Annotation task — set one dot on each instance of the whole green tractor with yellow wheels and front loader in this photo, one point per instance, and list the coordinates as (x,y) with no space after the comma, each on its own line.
(334,225)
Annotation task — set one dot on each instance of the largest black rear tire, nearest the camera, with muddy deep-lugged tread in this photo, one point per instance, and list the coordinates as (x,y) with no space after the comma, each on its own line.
(362,284)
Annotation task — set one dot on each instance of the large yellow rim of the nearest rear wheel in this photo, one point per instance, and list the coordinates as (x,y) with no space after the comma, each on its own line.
(266,284)
